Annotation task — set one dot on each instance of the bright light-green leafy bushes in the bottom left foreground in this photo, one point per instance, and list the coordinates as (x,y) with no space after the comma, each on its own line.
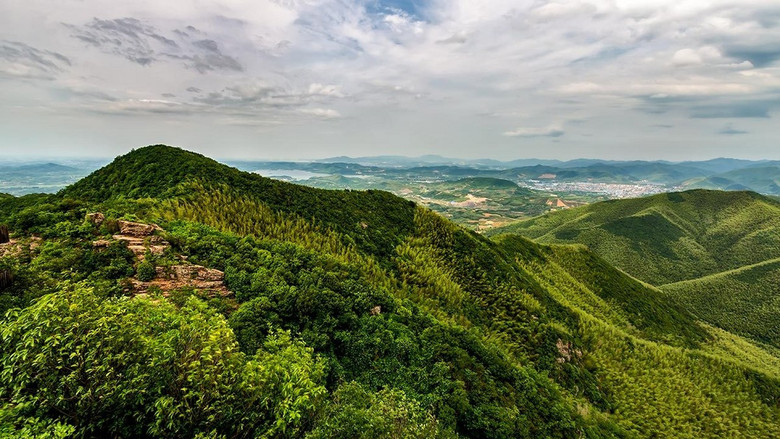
(119,367)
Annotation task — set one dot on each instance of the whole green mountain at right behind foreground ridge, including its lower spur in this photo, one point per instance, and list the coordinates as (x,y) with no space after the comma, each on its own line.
(713,252)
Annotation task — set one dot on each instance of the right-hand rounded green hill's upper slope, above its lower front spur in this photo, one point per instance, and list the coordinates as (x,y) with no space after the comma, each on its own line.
(668,237)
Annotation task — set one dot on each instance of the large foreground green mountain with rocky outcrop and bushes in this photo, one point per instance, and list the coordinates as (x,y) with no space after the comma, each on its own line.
(260,308)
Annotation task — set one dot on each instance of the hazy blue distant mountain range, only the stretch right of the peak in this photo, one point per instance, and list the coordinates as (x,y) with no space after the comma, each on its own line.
(722,173)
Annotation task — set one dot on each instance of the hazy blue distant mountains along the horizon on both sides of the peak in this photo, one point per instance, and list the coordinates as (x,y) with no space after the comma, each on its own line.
(722,173)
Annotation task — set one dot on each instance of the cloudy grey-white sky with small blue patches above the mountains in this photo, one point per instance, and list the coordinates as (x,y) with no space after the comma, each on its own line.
(306,79)
